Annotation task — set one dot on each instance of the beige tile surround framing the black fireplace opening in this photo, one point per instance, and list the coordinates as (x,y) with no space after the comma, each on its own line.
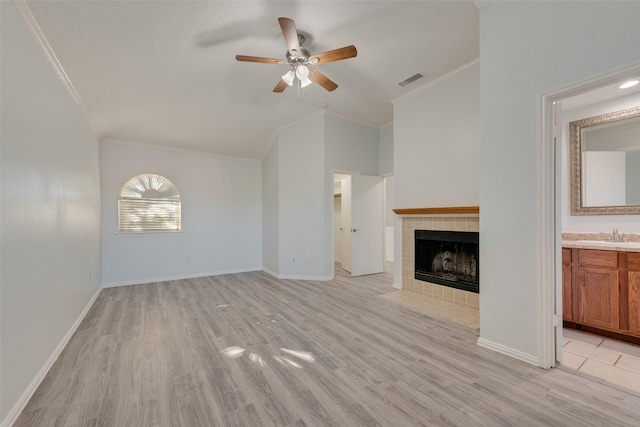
(456,222)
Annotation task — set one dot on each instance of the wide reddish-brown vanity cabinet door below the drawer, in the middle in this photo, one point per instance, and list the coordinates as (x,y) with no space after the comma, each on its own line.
(599,297)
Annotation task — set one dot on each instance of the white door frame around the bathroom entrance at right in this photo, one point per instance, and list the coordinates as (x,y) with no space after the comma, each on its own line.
(549,236)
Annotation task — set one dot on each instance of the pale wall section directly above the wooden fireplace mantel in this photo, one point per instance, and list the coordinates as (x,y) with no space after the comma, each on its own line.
(437,143)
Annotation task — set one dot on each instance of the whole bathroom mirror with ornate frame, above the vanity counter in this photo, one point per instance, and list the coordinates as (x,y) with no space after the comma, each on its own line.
(605,164)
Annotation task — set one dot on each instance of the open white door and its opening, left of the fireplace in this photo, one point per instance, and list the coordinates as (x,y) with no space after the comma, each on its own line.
(363,223)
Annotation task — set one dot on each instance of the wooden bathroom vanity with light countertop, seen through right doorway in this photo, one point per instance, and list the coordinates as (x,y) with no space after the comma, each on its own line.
(601,287)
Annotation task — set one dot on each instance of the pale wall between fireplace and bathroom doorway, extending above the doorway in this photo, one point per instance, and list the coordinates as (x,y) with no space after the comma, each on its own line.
(528,48)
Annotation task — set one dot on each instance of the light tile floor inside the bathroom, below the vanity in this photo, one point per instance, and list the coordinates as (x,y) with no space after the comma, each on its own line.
(614,361)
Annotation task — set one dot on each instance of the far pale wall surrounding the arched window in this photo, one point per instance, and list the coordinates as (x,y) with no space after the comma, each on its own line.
(221,216)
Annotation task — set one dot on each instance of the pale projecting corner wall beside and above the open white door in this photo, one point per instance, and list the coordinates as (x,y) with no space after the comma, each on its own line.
(308,152)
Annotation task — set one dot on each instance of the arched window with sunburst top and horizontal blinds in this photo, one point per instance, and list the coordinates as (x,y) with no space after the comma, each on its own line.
(149,203)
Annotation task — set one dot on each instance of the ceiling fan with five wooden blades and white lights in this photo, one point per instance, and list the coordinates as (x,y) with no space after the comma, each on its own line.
(300,59)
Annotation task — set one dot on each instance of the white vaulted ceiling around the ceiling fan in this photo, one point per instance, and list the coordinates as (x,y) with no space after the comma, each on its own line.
(164,72)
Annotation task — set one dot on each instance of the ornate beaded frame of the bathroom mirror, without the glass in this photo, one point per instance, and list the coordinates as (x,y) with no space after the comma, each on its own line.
(575,164)
